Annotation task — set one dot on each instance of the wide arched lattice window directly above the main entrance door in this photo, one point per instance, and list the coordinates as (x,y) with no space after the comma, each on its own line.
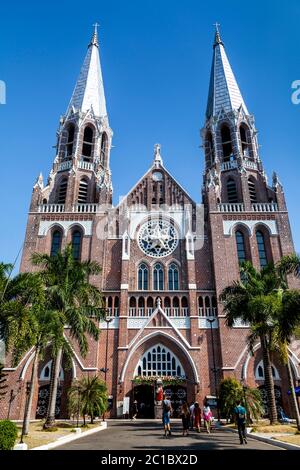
(159,361)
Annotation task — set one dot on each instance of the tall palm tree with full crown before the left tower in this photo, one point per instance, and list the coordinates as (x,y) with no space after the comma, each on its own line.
(77,303)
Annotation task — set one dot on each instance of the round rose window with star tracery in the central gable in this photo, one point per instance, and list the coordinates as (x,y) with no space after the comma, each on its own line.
(157,238)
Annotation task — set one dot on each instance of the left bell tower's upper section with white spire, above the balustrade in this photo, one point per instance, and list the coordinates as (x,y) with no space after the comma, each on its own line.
(81,169)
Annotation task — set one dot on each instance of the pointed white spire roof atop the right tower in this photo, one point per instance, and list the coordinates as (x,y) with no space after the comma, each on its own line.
(224,92)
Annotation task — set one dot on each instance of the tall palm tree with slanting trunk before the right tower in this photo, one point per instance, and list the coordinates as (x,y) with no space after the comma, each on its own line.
(254,301)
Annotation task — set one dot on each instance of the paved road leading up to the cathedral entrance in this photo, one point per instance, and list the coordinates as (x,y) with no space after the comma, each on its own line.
(148,435)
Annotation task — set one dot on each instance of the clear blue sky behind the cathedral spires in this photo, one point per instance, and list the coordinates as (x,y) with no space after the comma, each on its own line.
(156,58)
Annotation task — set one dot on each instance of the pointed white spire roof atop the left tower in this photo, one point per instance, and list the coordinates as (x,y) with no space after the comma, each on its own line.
(89,90)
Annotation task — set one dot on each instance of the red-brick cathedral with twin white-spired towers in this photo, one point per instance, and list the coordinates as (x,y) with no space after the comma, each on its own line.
(165,258)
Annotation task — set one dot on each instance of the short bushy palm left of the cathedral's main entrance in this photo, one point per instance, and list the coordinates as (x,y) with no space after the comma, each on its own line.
(89,397)
